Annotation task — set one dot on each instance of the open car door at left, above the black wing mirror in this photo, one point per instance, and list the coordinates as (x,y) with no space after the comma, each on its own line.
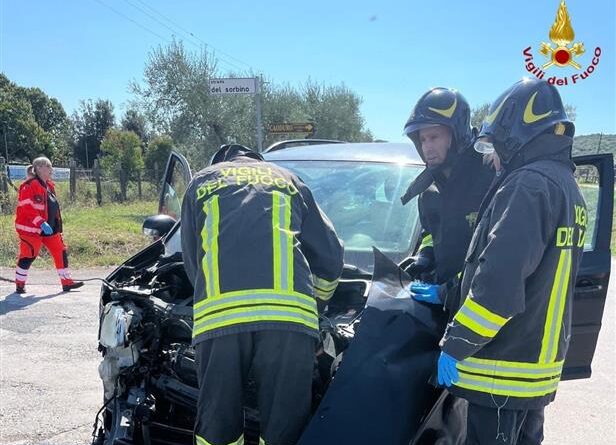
(174,183)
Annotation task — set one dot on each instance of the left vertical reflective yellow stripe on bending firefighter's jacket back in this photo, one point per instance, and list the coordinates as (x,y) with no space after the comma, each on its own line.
(209,236)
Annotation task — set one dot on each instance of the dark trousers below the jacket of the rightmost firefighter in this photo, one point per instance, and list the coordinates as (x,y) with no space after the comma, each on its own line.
(494,426)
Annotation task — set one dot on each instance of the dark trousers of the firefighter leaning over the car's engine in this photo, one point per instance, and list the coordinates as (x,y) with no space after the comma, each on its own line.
(281,363)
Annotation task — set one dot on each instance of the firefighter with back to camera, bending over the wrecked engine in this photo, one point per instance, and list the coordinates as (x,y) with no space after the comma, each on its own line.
(260,255)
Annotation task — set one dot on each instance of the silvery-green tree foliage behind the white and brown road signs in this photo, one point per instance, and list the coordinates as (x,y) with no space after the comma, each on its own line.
(174,96)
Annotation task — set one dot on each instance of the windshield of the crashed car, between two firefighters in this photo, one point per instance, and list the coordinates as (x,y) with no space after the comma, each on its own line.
(362,199)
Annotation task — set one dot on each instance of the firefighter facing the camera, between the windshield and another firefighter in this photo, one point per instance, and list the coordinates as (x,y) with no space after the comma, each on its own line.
(455,181)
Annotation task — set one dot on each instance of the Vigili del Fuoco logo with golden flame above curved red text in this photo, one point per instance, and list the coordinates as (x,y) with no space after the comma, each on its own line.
(562,52)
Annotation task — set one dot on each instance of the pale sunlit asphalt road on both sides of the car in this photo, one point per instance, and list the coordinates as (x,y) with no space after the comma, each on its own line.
(50,390)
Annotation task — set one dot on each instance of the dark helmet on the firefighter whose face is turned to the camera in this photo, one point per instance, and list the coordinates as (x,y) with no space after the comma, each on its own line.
(441,106)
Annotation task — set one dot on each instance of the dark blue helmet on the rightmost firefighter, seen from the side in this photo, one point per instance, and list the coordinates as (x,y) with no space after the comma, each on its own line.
(523,112)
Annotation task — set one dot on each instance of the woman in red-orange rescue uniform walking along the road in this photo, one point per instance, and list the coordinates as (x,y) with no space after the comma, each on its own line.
(38,222)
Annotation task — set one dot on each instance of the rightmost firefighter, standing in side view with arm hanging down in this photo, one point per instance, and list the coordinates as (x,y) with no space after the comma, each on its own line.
(505,347)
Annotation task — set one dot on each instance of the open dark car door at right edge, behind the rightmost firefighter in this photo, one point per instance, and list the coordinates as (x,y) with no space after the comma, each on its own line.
(595,176)
